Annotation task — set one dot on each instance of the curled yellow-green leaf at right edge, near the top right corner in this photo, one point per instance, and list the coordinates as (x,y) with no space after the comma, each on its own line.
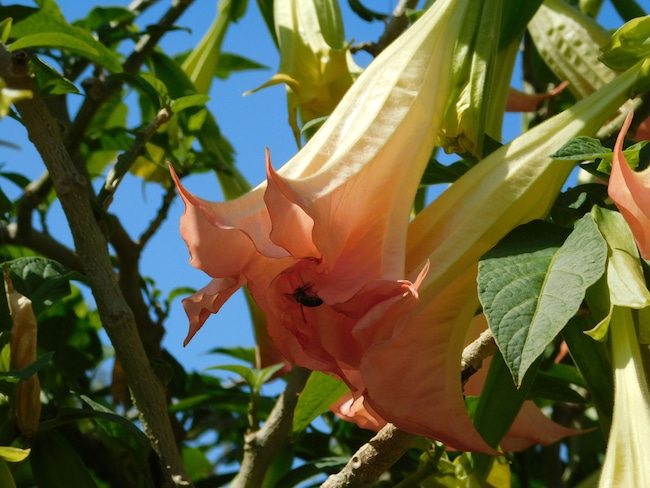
(628,45)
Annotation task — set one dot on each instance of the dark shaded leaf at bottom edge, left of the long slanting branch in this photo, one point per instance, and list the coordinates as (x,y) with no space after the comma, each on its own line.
(55,463)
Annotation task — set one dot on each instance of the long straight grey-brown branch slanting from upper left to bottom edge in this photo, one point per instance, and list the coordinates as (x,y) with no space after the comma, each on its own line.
(73,192)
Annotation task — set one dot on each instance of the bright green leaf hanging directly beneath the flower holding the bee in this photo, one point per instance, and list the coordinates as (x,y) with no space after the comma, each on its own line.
(320,392)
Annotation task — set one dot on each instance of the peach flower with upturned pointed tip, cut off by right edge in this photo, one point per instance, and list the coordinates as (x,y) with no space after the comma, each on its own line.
(630,191)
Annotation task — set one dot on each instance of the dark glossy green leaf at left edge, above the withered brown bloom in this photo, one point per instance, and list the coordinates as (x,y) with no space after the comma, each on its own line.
(42,280)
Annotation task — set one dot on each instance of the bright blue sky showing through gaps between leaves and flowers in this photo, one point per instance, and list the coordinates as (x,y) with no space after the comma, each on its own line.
(250,123)
